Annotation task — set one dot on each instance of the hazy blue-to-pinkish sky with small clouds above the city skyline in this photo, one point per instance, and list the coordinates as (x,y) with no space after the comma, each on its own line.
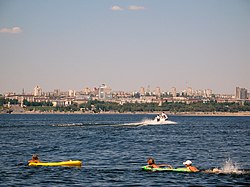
(125,44)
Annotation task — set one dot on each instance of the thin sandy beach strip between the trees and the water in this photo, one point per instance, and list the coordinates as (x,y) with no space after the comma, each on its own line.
(168,113)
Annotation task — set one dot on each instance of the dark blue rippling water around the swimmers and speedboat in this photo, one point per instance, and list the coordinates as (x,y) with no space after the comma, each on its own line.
(113,149)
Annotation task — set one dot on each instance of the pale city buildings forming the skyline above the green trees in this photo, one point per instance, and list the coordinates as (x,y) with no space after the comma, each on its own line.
(105,93)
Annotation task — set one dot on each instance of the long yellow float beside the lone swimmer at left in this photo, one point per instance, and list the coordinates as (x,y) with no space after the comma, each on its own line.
(64,163)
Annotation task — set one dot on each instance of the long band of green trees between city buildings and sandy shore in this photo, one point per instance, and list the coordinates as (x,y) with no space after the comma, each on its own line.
(99,106)
